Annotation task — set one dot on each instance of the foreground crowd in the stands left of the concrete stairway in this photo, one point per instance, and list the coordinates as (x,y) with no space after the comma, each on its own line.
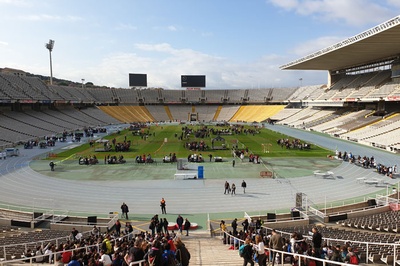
(117,248)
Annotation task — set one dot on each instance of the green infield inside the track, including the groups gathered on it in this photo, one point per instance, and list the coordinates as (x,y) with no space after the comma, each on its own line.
(162,140)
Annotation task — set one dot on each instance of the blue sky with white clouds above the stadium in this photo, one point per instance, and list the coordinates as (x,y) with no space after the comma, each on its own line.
(235,43)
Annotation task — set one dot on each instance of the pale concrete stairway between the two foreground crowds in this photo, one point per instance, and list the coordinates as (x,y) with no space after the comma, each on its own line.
(210,251)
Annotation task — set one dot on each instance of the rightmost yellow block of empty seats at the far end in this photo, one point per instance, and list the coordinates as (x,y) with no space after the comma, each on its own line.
(257,113)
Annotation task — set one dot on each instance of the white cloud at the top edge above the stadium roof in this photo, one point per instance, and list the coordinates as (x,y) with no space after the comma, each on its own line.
(354,12)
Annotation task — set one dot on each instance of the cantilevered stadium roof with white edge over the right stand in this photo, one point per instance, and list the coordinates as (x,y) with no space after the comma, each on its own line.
(379,43)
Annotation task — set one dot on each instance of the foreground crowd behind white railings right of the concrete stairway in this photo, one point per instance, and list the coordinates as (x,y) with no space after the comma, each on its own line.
(253,243)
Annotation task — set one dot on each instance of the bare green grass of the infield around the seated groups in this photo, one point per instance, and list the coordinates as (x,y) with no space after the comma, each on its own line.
(163,140)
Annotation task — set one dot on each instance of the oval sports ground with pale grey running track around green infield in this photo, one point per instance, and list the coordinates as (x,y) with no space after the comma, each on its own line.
(99,189)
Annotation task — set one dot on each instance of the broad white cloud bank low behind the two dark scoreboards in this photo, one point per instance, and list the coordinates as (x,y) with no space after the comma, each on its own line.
(164,69)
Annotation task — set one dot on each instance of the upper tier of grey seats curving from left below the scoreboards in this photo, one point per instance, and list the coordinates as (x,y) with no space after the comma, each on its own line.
(31,88)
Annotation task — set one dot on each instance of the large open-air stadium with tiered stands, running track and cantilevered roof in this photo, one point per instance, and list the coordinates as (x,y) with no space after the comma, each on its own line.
(352,191)
